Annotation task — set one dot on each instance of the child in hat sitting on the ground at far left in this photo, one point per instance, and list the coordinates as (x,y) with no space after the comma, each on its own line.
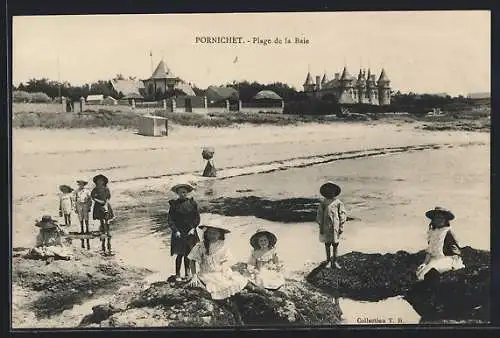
(49,244)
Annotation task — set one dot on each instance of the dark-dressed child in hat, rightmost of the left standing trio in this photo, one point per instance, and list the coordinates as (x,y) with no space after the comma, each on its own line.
(102,211)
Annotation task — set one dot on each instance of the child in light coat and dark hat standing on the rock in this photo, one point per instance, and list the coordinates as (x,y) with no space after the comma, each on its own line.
(331,216)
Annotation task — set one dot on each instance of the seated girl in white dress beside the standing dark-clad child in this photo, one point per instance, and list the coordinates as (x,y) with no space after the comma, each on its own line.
(213,257)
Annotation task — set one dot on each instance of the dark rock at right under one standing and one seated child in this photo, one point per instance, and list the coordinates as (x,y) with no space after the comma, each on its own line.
(456,295)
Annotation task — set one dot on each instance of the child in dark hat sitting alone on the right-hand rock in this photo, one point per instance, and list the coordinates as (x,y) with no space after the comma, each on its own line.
(443,252)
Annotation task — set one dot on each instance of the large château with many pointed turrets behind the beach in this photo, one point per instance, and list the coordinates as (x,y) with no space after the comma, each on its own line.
(348,89)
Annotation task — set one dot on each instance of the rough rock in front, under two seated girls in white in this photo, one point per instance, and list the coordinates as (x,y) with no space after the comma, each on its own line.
(170,304)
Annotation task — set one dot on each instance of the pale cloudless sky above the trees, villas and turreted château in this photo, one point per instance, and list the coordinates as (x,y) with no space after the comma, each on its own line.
(421,51)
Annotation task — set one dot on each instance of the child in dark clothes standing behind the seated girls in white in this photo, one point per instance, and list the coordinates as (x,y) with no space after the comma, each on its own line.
(184,217)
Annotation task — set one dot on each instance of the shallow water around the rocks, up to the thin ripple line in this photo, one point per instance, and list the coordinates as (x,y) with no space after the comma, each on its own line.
(388,195)
